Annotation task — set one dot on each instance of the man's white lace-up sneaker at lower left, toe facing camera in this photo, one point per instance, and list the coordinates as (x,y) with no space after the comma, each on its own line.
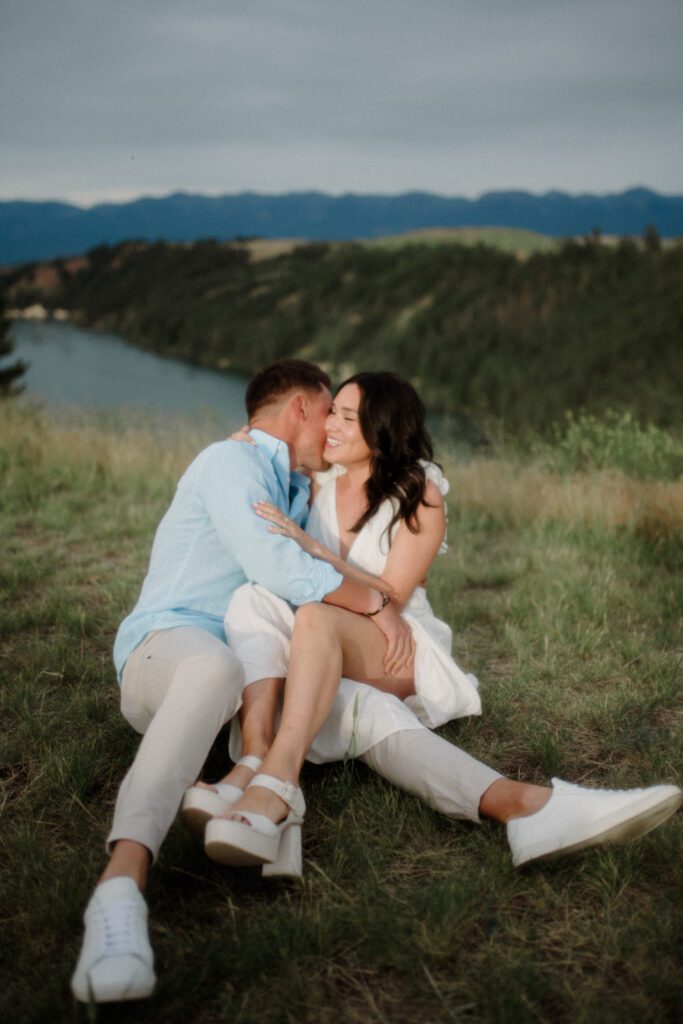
(116,961)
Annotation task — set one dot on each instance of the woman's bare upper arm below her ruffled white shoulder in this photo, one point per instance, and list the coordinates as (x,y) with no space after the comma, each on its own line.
(412,554)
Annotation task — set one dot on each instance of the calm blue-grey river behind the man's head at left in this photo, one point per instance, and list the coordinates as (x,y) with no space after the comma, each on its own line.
(69,366)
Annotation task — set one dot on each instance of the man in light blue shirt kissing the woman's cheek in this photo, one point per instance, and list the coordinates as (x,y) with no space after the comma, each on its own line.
(181,682)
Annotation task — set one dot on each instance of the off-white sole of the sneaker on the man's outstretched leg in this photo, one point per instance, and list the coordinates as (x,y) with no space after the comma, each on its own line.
(620,827)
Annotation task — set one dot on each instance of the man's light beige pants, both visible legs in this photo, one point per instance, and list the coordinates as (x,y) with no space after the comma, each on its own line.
(179,689)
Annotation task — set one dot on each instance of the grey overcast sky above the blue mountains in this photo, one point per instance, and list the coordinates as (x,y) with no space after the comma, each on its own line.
(116,99)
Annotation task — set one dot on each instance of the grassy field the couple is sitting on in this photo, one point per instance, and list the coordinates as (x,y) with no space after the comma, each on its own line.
(564,589)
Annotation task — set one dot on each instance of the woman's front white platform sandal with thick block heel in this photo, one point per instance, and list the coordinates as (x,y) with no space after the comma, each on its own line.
(277,847)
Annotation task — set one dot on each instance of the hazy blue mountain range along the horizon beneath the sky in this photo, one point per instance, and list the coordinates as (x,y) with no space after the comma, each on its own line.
(39,231)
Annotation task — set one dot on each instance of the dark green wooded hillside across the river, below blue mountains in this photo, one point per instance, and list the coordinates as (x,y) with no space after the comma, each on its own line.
(480,331)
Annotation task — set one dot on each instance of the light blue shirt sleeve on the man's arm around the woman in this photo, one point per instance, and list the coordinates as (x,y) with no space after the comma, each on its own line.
(234,477)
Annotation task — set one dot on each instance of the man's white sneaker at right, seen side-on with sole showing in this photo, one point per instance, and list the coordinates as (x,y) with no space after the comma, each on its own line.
(576,818)
